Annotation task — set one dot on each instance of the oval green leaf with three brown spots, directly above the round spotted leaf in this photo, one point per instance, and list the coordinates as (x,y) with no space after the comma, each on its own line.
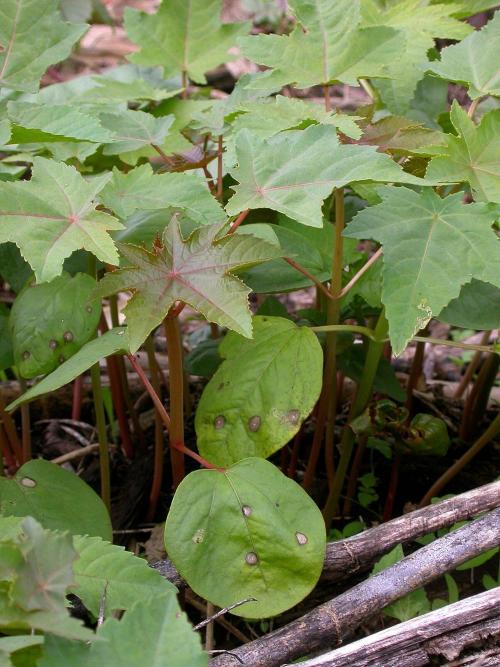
(262,392)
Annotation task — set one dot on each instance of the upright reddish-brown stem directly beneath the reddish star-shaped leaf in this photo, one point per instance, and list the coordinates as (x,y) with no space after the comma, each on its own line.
(176,384)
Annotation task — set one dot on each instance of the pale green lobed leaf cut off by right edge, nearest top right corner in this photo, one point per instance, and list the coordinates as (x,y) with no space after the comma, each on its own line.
(473,62)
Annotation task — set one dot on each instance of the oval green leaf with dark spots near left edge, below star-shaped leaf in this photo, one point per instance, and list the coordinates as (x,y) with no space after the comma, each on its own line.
(52,321)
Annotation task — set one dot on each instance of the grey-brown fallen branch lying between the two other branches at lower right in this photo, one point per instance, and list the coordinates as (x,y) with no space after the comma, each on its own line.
(330,622)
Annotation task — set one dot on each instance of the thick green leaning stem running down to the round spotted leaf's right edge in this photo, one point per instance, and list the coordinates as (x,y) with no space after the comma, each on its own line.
(363,394)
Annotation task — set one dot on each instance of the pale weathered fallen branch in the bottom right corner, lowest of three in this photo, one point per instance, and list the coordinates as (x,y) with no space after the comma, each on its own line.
(444,633)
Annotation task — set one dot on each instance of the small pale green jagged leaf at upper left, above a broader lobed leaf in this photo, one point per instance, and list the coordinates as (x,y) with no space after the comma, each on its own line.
(134,130)
